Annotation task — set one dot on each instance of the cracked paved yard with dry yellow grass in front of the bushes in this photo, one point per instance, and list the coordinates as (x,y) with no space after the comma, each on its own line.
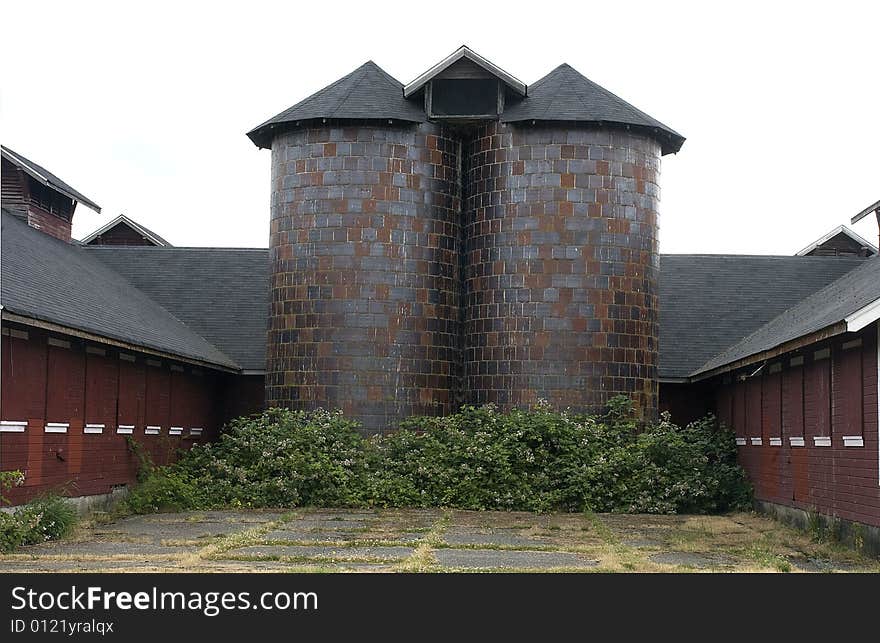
(327,540)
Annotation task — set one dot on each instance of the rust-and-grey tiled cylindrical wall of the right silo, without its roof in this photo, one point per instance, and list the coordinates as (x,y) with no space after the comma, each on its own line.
(562,266)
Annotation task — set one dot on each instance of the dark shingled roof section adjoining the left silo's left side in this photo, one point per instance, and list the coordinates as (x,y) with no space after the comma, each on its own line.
(220,293)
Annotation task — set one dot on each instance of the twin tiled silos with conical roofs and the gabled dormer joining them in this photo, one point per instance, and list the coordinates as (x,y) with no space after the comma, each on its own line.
(463,239)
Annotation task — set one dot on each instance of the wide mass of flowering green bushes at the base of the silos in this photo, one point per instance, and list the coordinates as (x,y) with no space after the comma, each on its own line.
(478,458)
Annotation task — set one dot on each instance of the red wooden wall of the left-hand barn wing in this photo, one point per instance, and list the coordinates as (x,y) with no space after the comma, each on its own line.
(94,390)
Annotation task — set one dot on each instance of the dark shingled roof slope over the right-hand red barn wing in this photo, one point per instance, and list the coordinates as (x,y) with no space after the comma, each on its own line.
(827,307)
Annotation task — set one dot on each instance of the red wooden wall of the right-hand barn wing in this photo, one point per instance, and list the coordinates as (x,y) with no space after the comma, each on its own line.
(791,421)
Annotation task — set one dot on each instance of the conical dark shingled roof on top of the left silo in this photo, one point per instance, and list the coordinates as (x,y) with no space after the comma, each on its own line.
(368,92)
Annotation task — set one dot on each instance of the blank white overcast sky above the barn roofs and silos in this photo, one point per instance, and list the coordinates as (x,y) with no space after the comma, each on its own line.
(143,107)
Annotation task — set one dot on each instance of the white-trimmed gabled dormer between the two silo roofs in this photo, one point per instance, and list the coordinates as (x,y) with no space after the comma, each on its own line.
(464,86)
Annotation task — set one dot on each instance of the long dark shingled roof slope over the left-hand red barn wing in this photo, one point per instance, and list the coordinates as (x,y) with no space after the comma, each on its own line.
(49,280)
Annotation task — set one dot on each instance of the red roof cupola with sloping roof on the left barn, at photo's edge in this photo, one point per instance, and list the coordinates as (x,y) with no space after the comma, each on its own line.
(35,195)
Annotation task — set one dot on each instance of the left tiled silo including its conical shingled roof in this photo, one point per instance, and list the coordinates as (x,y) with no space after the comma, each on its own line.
(364,264)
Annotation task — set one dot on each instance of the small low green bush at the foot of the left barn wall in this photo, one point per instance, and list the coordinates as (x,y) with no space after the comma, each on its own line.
(46,518)
